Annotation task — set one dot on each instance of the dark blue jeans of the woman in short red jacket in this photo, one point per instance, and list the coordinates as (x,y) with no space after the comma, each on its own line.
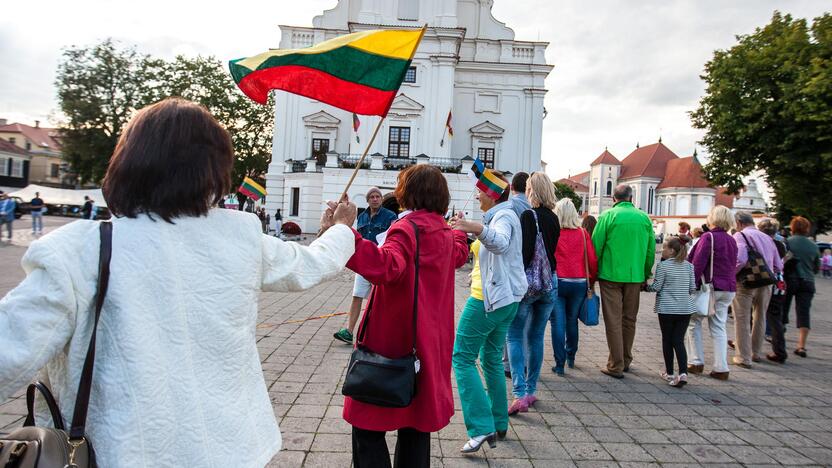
(571,297)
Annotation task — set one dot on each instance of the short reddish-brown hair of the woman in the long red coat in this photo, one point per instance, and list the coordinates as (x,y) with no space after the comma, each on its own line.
(423,187)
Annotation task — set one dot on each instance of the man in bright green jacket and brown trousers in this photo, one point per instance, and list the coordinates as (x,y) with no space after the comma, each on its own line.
(626,249)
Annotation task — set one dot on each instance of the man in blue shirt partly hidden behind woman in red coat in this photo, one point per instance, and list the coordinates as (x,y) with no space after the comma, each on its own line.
(371,222)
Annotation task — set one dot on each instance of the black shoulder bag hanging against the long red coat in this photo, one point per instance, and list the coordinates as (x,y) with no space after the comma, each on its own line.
(380,380)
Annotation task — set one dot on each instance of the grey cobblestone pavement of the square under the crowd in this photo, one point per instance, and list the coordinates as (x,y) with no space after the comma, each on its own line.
(770,415)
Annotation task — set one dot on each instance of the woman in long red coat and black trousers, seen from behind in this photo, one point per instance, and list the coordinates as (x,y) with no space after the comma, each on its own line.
(390,267)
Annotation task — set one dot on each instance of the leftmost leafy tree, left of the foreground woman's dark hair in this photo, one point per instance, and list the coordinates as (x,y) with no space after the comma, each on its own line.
(99,88)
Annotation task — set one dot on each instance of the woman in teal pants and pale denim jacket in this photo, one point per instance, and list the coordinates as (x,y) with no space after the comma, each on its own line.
(497,286)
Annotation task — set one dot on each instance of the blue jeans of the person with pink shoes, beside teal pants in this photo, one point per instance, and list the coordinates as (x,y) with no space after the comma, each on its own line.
(525,342)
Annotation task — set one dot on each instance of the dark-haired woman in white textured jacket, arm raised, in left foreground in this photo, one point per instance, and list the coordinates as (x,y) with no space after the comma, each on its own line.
(177,378)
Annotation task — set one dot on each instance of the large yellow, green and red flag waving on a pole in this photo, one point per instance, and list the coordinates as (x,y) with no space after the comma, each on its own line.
(358,72)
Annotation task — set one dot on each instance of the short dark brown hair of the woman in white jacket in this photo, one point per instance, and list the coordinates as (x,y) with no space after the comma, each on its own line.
(173,159)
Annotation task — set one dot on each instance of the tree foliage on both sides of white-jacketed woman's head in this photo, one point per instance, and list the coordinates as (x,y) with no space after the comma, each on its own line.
(101,87)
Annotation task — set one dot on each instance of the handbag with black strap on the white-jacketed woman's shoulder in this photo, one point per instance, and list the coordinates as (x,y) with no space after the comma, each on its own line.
(44,447)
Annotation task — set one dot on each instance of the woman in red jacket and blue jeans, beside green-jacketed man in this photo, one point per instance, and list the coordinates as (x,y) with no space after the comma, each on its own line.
(574,252)
